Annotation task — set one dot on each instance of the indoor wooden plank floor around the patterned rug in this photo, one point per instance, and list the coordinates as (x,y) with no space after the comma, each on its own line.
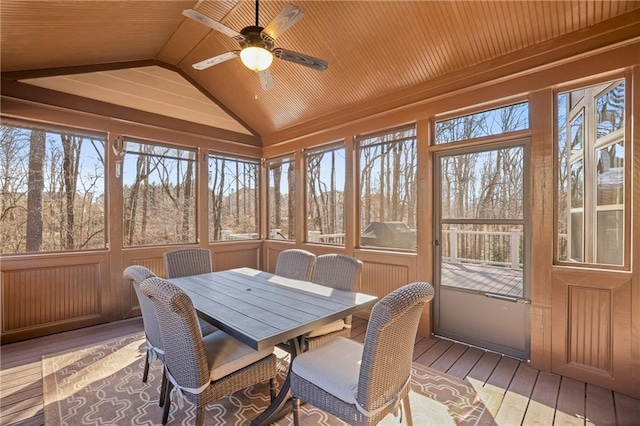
(530,396)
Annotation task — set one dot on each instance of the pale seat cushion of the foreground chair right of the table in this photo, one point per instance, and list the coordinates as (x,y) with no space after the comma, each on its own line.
(334,367)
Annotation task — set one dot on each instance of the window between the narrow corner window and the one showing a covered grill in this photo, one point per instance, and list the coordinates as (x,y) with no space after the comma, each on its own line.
(325,194)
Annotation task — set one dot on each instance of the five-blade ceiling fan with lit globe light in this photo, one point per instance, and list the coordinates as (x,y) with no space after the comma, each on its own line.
(257,44)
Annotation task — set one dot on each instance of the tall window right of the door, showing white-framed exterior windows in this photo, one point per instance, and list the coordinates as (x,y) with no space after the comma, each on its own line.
(592,174)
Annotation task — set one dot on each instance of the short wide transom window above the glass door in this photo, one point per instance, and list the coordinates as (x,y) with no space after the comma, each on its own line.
(496,121)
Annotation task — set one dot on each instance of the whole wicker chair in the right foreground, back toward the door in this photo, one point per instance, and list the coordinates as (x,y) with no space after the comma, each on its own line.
(358,383)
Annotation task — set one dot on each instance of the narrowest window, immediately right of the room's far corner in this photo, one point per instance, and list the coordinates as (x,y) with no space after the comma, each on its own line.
(282,200)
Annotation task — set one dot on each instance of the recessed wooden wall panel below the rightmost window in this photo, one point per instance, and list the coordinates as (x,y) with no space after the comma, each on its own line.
(591,320)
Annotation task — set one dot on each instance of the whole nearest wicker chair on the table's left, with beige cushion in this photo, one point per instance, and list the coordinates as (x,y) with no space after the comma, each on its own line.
(199,369)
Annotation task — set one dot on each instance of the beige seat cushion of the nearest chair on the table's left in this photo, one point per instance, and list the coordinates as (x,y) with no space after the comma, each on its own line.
(227,354)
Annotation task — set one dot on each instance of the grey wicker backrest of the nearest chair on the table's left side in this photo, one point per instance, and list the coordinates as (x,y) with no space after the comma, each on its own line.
(184,355)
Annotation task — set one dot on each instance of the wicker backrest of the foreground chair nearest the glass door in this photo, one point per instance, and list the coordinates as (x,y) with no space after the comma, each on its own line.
(388,346)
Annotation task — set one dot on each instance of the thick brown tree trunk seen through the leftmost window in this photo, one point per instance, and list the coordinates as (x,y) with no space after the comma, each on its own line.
(35,189)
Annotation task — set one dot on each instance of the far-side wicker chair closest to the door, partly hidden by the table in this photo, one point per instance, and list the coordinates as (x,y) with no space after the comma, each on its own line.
(343,273)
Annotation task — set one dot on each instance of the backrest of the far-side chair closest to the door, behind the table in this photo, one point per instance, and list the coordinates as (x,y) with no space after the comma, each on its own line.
(338,271)
